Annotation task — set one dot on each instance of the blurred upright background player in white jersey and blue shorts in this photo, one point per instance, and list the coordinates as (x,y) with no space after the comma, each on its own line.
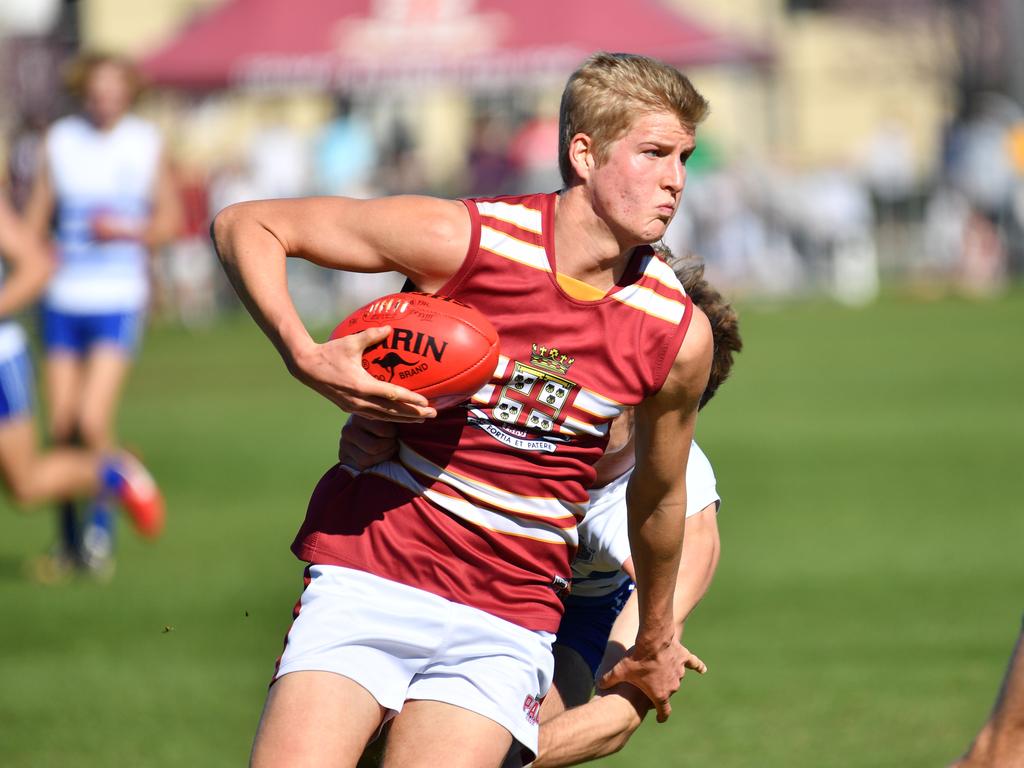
(104,182)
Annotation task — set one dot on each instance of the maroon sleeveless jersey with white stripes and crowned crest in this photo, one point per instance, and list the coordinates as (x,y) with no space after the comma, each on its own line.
(482,504)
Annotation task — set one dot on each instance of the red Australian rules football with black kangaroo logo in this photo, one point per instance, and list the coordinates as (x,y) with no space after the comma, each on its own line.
(440,348)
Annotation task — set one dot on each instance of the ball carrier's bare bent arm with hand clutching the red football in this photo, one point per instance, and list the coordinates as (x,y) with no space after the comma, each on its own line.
(425,239)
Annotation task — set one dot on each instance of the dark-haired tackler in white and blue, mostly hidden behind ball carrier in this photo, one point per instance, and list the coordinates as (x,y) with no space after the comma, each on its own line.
(601,621)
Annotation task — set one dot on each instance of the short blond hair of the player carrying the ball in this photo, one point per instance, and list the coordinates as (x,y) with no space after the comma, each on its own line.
(609,91)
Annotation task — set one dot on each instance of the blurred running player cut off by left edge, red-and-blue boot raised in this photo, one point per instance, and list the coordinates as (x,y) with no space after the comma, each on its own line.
(31,477)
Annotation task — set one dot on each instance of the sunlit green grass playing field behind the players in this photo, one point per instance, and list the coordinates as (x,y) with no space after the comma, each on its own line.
(869,594)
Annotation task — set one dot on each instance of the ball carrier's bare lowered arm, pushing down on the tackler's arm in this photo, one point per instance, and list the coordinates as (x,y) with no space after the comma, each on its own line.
(657,508)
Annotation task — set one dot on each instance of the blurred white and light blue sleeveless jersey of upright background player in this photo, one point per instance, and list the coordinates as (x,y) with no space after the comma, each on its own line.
(97,173)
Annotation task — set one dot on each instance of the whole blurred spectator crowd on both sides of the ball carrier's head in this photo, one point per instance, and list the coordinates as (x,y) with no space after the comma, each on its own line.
(764,230)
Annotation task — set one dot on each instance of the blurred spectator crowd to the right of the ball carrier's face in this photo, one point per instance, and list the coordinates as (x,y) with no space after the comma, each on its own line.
(765,230)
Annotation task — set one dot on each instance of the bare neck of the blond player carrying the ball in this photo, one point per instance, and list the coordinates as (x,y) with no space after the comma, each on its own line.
(586,249)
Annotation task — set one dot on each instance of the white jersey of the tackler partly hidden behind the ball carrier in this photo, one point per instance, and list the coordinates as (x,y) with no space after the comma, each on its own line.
(605,543)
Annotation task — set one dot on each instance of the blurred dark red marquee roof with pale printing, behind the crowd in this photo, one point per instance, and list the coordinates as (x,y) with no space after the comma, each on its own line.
(349,44)
